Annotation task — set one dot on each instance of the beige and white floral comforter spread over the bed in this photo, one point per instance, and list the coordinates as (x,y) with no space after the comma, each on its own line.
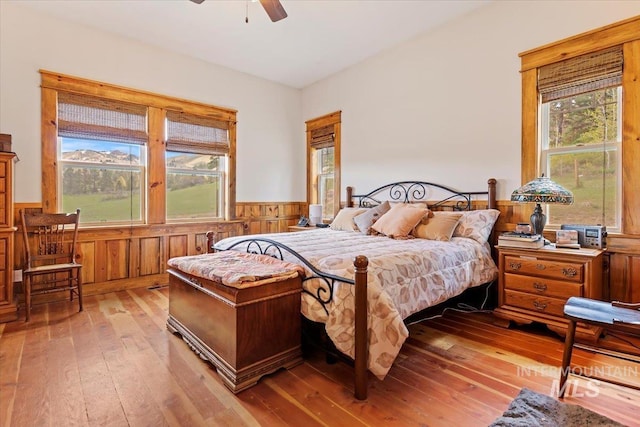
(404,277)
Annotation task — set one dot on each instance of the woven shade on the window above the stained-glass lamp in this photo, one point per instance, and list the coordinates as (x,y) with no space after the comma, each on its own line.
(585,73)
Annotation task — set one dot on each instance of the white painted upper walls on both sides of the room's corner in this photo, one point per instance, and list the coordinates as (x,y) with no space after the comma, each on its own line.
(443,107)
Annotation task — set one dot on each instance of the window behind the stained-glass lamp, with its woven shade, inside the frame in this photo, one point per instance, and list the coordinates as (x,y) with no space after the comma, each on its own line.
(582,134)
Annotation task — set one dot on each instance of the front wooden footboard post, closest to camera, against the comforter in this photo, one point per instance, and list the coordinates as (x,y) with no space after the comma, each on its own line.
(361,333)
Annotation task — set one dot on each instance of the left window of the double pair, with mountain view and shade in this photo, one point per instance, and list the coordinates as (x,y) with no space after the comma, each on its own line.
(101,158)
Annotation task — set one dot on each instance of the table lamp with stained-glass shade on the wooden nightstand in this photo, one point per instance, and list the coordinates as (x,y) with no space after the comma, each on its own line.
(541,190)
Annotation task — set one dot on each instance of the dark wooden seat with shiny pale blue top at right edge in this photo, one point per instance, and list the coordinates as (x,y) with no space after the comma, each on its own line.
(613,316)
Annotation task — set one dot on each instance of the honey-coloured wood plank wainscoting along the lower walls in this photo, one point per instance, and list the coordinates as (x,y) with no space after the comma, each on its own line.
(130,257)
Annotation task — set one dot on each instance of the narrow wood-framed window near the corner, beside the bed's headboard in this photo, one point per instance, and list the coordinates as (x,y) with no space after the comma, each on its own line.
(323,159)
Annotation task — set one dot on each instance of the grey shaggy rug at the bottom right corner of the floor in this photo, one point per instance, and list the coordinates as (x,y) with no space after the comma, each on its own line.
(531,409)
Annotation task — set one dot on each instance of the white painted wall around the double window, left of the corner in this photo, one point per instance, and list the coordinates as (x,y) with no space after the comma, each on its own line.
(270,123)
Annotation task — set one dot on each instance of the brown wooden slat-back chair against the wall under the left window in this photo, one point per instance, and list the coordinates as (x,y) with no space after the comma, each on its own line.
(50,249)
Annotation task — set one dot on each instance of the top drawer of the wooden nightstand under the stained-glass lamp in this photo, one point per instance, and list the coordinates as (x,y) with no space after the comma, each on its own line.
(545,268)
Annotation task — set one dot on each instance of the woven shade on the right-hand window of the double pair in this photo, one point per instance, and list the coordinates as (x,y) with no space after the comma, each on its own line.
(196,134)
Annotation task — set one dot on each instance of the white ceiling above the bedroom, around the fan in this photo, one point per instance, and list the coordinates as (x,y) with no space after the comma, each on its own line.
(317,39)
